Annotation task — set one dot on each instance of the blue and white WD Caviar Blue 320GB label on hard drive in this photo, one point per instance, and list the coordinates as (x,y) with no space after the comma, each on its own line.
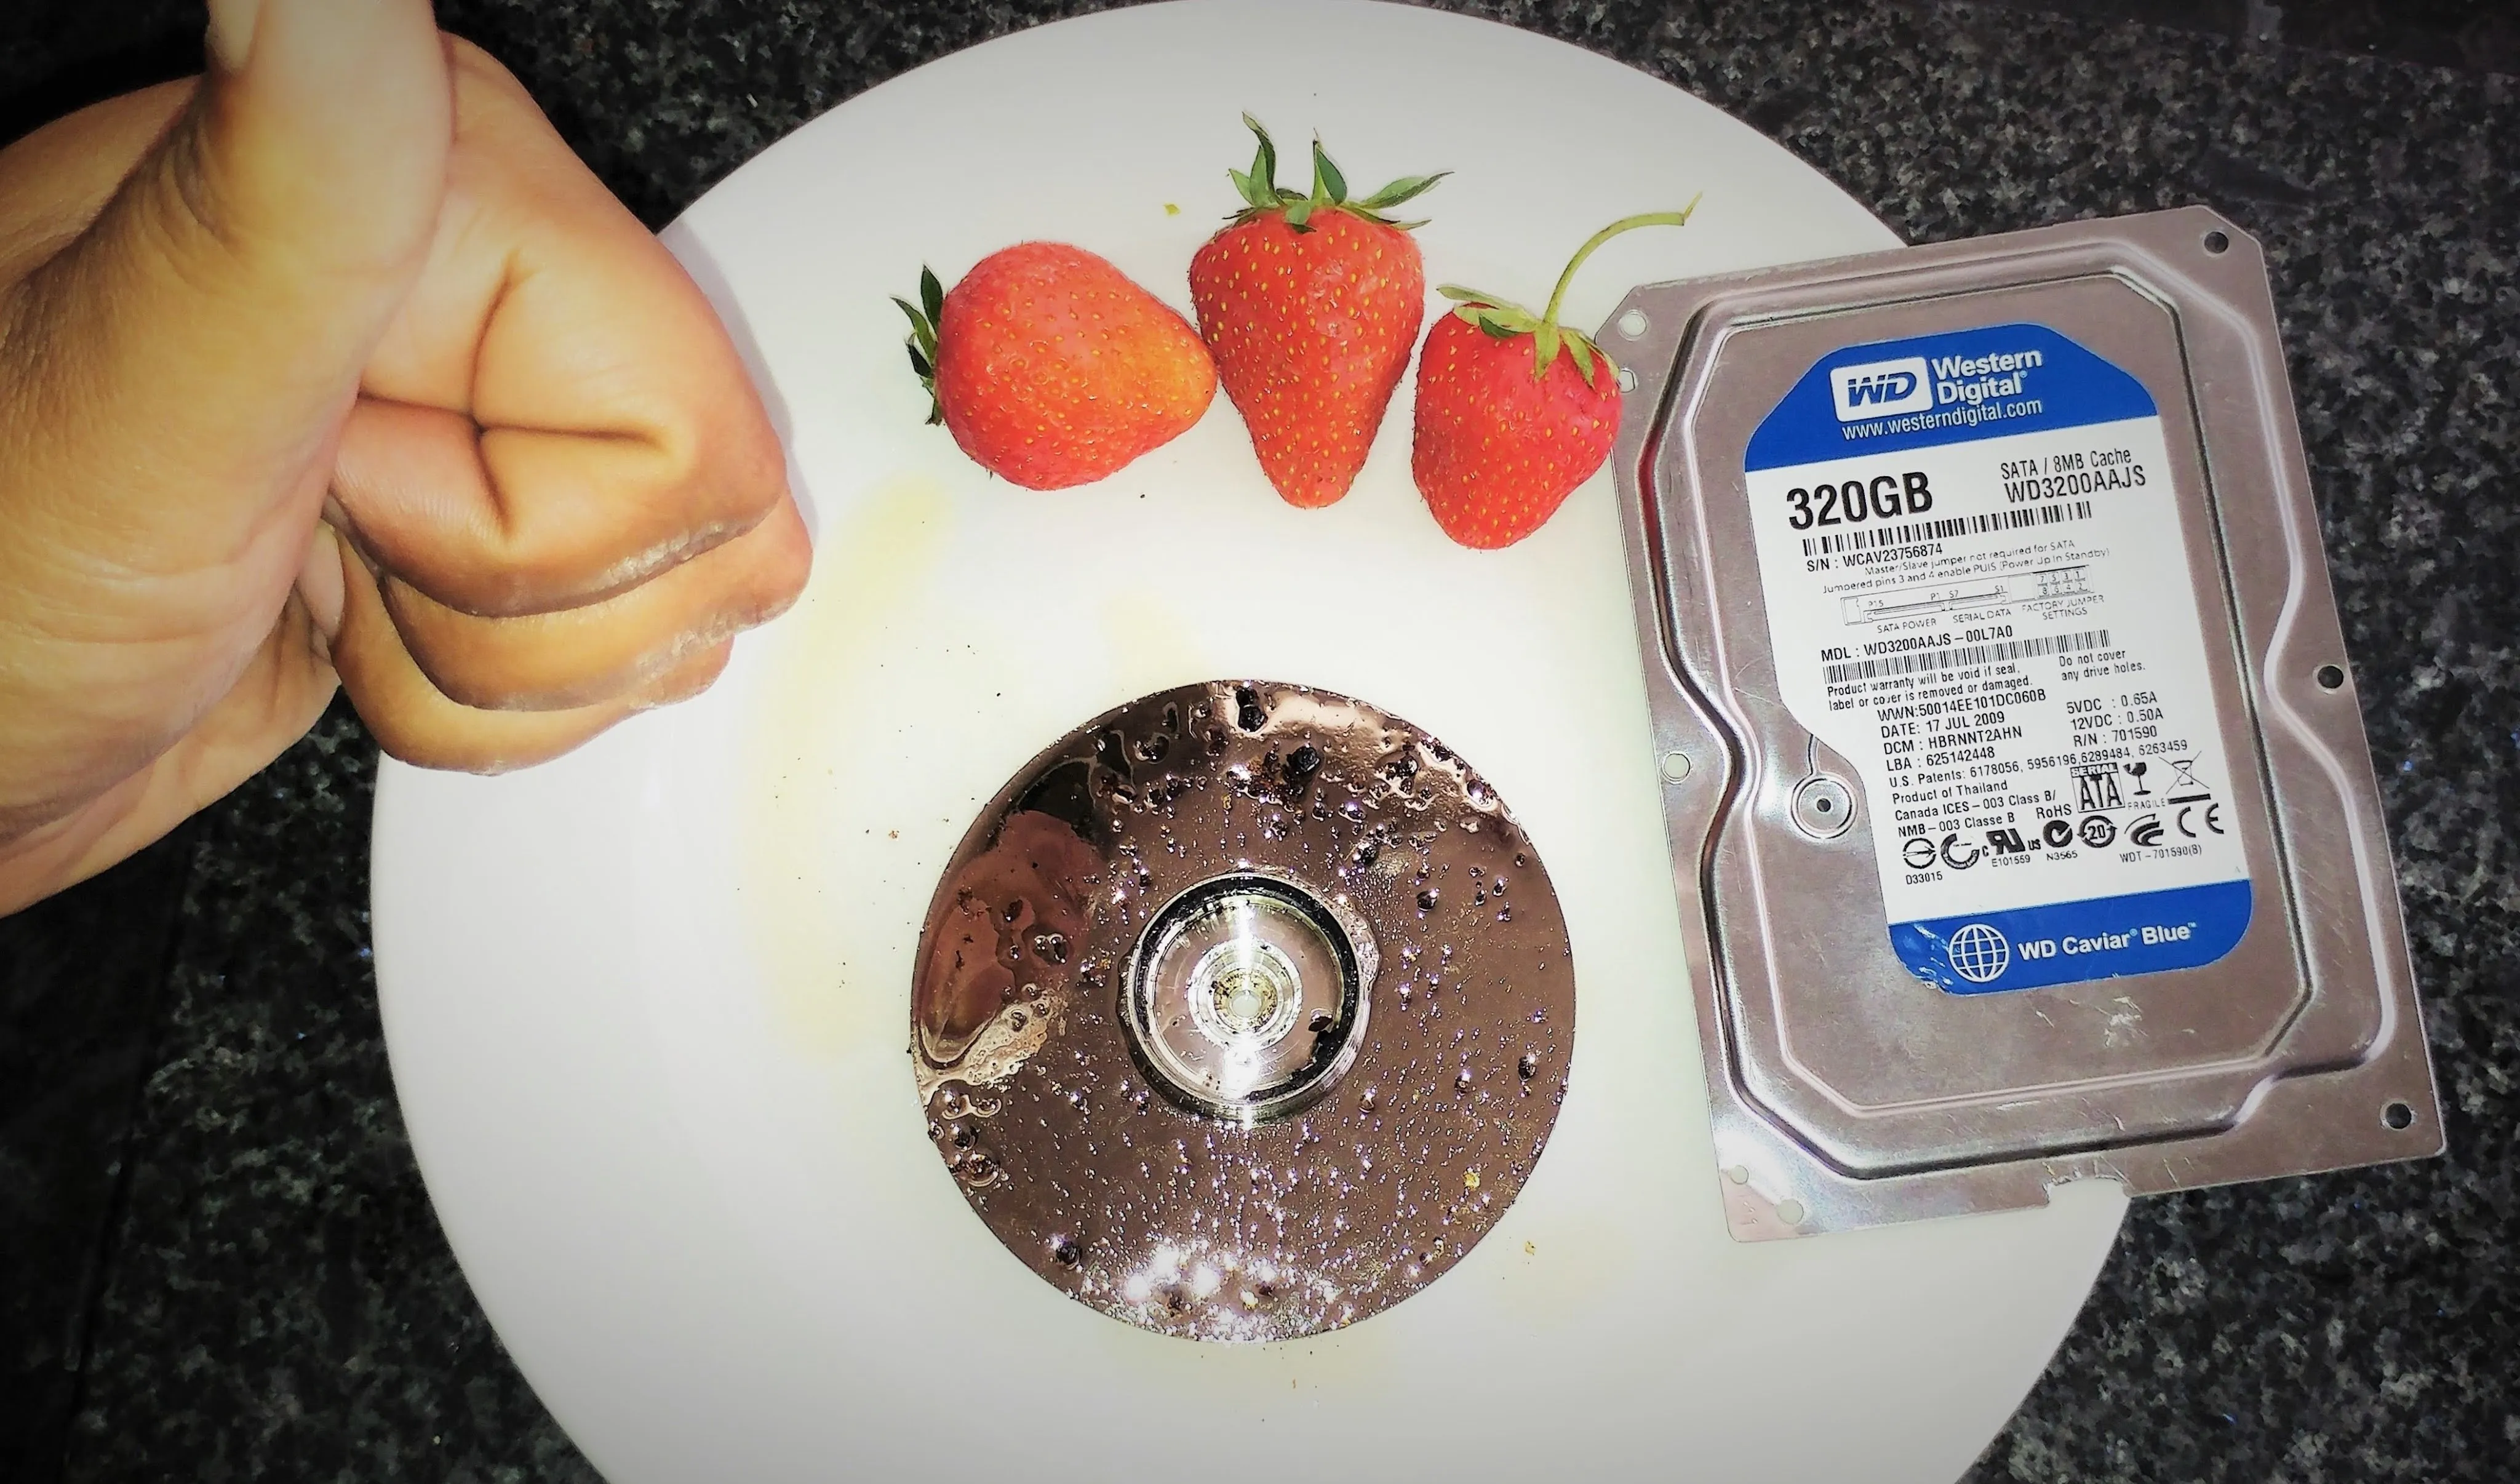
(1979,596)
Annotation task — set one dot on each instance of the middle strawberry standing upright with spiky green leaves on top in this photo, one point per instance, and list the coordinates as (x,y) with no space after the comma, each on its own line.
(1312,306)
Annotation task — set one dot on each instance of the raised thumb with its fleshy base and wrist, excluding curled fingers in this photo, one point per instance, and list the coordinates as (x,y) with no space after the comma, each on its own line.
(178,364)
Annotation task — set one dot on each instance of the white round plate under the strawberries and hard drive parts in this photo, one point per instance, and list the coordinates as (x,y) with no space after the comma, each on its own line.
(649,1004)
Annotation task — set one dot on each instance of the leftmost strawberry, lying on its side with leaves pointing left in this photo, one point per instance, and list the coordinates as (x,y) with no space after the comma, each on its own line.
(1052,369)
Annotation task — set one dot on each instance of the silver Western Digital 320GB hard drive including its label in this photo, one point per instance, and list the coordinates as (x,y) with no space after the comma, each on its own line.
(1949,944)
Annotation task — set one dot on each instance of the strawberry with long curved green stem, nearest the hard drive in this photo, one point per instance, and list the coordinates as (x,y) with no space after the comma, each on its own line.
(1506,425)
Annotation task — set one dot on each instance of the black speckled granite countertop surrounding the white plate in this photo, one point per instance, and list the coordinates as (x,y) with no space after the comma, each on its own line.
(220,1259)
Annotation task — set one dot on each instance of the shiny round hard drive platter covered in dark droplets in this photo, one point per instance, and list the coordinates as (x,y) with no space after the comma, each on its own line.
(1244,1012)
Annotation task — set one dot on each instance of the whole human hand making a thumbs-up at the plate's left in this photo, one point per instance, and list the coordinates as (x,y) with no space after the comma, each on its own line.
(339,364)
